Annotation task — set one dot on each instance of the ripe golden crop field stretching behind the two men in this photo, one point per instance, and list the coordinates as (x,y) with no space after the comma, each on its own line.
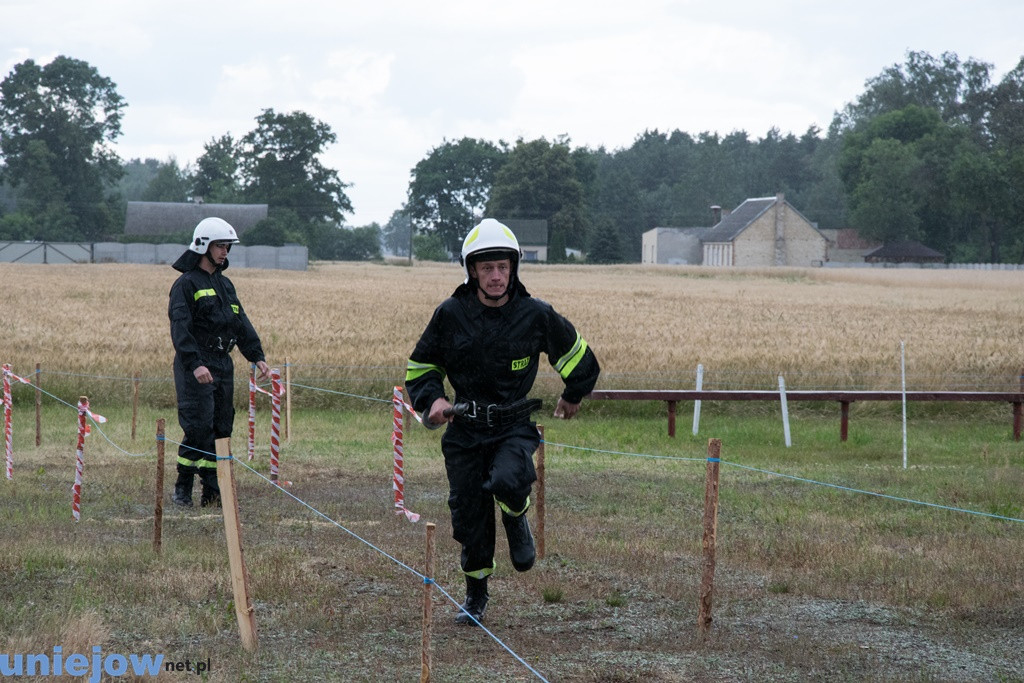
(841,328)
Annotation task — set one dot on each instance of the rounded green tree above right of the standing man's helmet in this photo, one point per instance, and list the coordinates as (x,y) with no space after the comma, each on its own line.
(280,166)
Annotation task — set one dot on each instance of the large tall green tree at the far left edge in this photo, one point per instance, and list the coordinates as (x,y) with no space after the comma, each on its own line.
(58,125)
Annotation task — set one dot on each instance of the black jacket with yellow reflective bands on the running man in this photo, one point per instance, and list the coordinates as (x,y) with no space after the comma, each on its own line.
(491,355)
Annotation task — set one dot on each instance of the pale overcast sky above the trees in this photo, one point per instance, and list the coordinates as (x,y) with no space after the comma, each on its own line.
(395,80)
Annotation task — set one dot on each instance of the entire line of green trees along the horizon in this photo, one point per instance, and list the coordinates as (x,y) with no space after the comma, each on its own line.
(932,151)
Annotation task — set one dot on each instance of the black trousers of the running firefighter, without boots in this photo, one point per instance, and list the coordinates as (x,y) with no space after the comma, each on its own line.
(484,467)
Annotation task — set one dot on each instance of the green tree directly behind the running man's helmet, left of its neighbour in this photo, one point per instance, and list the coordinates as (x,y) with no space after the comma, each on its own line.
(450,188)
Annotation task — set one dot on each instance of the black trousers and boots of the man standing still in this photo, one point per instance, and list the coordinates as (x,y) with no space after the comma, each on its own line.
(206,413)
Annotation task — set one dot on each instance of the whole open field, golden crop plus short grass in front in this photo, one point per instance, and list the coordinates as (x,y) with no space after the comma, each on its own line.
(815,582)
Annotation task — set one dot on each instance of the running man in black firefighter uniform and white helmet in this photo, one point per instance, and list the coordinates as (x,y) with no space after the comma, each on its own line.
(487,338)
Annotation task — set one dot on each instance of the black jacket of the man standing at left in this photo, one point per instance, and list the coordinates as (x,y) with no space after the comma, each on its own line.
(205,314)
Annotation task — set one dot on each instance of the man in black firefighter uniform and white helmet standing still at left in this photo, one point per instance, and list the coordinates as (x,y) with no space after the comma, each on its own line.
(207,322)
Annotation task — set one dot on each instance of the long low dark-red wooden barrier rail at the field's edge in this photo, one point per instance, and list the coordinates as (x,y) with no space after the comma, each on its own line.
(673,397)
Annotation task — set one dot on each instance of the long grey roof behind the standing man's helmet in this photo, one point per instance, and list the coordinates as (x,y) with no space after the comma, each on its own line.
(172,218)
